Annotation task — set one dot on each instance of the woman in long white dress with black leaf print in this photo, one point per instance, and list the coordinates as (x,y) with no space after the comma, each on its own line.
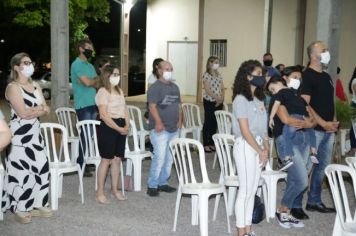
(27,169)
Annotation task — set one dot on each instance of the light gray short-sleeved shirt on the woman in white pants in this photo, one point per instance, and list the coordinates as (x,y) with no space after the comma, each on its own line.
(254,111)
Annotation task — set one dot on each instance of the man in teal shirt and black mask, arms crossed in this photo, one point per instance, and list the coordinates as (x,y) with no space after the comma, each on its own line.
(83,77)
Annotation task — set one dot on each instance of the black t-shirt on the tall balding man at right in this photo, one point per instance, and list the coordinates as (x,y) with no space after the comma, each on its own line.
(320,87)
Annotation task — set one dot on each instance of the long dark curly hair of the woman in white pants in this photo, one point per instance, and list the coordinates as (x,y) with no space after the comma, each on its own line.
(242,85)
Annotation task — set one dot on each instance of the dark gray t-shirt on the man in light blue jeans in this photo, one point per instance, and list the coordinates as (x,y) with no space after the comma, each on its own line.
(167,99)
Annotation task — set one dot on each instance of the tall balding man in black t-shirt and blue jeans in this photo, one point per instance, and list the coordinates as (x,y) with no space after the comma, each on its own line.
(318,91)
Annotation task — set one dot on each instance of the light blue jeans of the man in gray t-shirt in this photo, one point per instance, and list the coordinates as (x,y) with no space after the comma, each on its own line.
(162,159)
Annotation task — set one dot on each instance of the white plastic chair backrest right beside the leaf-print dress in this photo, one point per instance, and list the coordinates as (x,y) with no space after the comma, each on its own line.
(52,146)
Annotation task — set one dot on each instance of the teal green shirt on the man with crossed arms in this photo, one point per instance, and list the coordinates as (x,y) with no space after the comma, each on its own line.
(84,96)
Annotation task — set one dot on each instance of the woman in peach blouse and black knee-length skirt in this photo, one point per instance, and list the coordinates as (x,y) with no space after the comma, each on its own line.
(112,132)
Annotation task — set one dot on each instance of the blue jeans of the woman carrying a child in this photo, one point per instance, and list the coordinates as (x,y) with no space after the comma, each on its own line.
(297,178)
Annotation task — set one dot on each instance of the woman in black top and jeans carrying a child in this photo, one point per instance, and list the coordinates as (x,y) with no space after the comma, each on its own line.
(290,213)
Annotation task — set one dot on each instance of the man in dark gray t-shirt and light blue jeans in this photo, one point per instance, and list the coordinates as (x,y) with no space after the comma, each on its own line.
(165,120)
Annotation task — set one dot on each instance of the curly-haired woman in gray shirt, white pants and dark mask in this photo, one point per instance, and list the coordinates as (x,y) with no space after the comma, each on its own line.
(251,146)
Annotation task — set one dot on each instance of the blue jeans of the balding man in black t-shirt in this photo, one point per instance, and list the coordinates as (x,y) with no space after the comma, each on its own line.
(325,143)
